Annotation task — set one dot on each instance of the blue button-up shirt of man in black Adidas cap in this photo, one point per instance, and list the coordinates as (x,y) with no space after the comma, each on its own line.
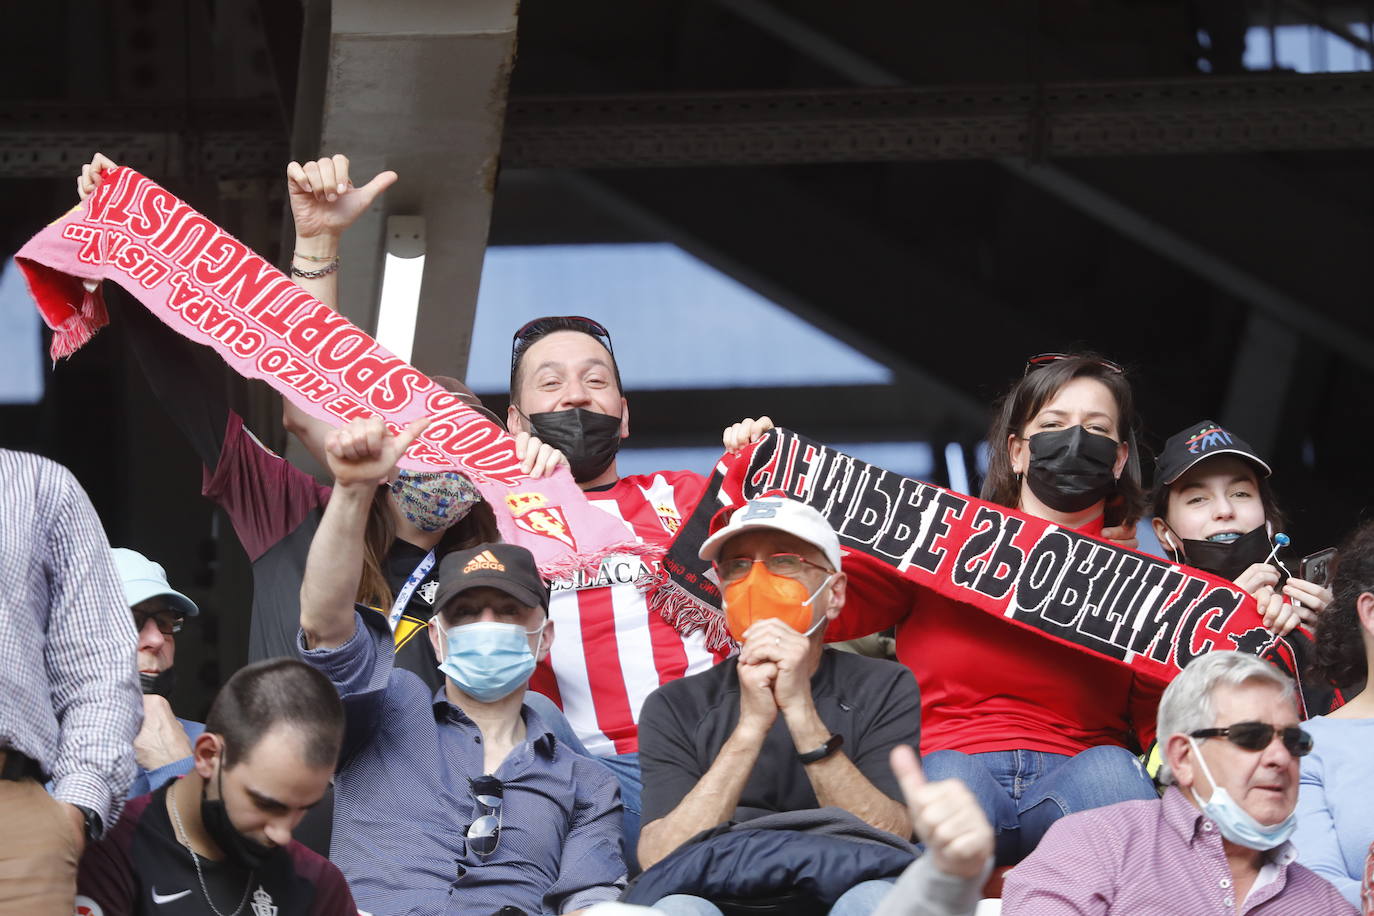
(403,803)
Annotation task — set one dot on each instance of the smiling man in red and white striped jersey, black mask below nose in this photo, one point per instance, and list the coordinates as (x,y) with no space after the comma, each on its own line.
(612,650)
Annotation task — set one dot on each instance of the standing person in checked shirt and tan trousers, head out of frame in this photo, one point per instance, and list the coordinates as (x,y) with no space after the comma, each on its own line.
(69,685)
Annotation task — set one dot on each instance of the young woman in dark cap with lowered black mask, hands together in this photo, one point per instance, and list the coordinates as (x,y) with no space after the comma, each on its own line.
(1214,509)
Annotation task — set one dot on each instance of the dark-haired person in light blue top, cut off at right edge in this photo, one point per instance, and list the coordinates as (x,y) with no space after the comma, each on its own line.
(1335,807)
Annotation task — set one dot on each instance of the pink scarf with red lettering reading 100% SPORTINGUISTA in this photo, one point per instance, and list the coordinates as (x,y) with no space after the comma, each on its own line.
(212,289)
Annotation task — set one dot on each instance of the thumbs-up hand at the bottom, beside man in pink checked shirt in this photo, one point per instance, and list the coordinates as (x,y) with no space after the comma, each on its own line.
(946,816)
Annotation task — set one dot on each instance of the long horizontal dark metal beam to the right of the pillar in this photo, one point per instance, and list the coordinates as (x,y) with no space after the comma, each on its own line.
(1142,117)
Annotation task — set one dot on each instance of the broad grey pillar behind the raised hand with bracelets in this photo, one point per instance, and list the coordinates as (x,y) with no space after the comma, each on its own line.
(418,87)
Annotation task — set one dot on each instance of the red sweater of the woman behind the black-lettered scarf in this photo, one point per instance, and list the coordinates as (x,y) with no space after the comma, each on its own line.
(989,685)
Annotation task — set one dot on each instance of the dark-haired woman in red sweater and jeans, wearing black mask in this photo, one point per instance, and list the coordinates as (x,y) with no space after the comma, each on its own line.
(1035,729)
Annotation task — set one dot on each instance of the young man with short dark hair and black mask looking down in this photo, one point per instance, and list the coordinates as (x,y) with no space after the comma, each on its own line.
(219,840)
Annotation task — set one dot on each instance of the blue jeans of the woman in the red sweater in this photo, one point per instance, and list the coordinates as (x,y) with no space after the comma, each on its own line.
(1026,792)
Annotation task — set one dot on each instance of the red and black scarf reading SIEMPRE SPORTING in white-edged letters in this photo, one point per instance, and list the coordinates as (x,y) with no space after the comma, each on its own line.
(1050,583)
